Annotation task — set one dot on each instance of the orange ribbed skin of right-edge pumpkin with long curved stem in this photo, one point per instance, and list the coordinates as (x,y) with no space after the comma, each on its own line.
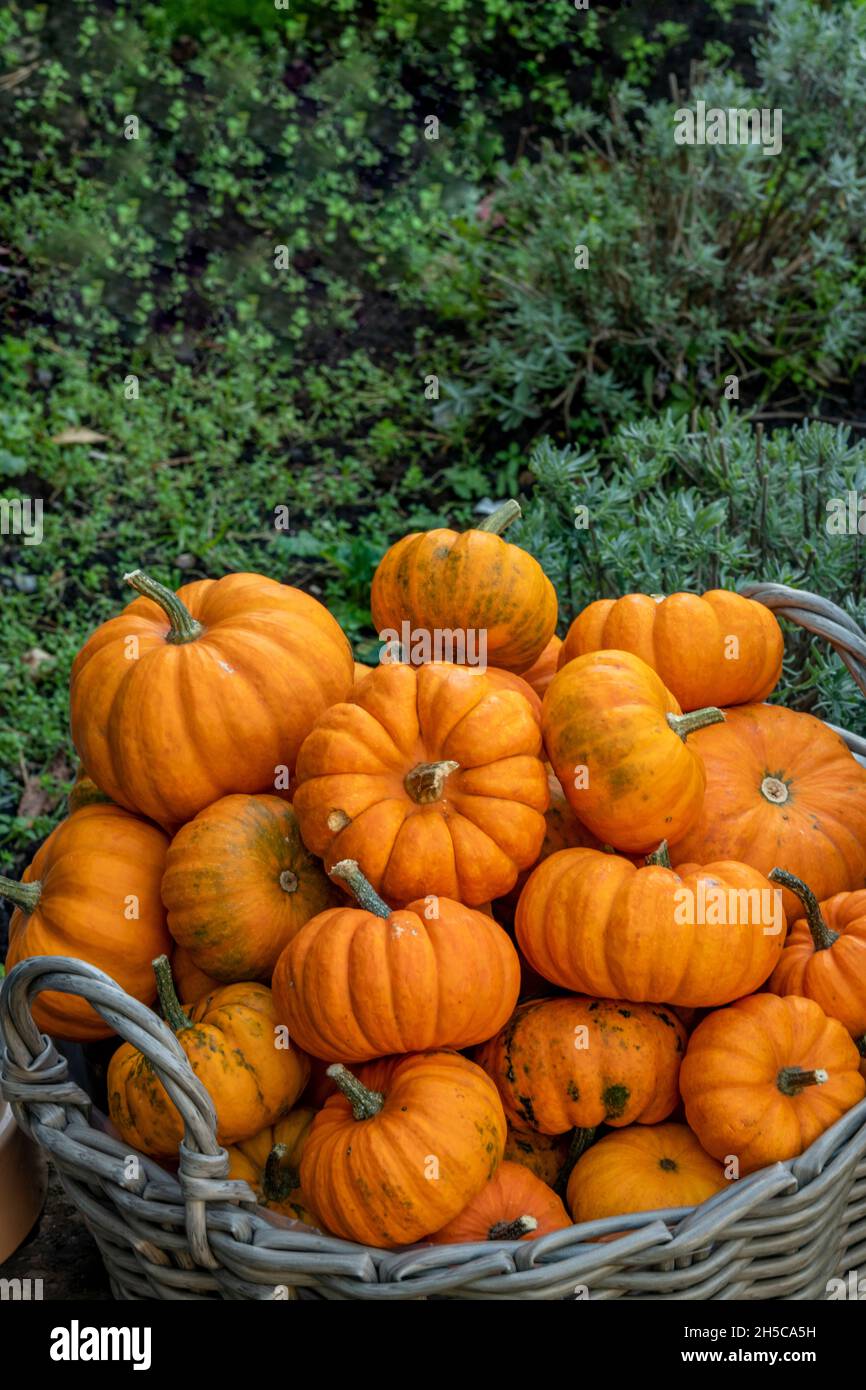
(835,978)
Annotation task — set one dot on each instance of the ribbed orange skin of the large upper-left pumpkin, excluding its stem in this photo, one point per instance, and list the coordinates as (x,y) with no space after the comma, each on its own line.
(181,726)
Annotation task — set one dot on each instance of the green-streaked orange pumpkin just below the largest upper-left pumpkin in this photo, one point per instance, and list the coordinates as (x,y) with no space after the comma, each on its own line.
(224,886)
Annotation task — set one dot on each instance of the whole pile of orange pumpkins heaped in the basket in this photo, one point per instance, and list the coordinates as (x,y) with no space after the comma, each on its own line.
(420,929)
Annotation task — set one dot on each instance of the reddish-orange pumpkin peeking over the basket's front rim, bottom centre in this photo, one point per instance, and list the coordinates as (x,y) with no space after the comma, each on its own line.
(514,1206)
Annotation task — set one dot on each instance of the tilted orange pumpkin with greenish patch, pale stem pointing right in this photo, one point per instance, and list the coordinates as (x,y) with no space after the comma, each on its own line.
(616,739)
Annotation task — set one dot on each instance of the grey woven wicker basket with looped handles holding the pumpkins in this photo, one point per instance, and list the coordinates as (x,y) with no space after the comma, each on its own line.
(781,1234)
